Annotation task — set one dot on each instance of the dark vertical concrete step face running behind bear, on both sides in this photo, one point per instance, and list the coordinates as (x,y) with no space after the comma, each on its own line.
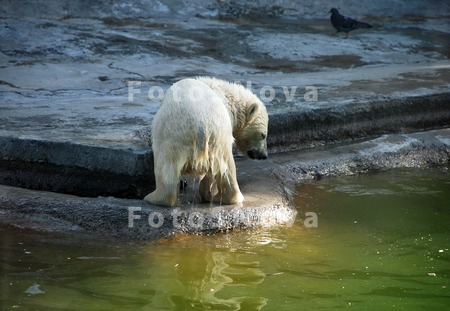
(128,172)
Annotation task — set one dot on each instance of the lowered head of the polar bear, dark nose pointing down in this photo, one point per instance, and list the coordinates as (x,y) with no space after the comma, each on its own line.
(251,137)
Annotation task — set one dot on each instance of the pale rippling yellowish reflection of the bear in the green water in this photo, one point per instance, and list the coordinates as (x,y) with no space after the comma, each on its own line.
(214,277)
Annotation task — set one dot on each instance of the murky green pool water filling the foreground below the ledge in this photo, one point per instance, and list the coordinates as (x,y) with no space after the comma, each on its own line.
(381,243)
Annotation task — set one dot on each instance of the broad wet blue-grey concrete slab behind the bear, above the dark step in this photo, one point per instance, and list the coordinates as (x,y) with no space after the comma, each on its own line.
(60,76)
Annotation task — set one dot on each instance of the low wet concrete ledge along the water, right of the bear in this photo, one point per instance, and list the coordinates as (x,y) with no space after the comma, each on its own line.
(413,150)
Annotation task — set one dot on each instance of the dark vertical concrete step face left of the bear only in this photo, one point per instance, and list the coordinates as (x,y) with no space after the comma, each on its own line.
(74,168)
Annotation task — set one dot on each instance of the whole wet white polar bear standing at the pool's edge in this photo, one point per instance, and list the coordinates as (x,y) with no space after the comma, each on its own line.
(193,133)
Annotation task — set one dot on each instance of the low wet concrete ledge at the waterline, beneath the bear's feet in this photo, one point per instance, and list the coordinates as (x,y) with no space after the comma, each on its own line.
(267,187)
